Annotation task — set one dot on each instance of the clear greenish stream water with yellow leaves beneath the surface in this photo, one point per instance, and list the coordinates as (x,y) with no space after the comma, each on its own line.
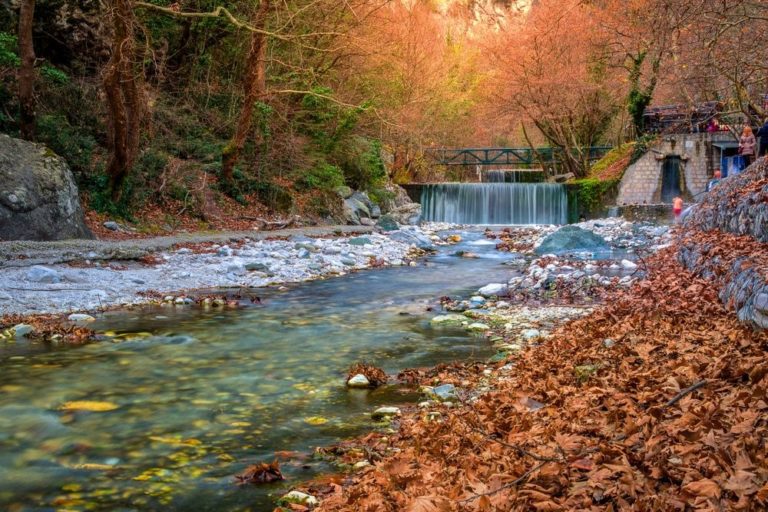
(203,394)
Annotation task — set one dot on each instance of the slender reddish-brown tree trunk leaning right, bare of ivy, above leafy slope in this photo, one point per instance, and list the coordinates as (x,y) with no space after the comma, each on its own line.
(254,88)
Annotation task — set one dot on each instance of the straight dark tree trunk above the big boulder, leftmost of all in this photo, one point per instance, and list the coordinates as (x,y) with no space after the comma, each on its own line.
(27,70)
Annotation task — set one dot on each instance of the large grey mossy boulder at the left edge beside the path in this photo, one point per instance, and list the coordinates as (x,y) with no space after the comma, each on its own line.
(38,195)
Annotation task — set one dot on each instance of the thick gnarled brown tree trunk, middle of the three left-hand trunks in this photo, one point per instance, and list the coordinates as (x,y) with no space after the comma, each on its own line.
(124,99)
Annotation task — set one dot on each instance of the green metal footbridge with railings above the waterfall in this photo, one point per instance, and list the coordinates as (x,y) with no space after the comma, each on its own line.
(512,157)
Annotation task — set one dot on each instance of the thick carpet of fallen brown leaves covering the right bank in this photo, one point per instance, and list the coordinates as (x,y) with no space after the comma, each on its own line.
(670,415)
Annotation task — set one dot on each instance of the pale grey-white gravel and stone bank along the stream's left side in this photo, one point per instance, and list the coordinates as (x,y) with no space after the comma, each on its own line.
(109,274)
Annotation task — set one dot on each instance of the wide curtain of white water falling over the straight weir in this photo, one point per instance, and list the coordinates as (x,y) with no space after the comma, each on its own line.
(495,203)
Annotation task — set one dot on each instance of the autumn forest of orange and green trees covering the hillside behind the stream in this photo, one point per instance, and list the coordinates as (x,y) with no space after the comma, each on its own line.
(275,103)
